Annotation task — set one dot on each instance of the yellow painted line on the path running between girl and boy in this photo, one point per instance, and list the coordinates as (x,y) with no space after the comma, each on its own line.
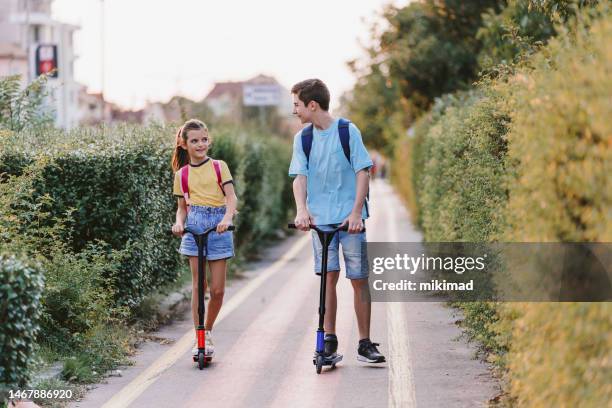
(139,384)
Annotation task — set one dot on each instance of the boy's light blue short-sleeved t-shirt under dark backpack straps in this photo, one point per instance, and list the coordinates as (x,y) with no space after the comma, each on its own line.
(332,180)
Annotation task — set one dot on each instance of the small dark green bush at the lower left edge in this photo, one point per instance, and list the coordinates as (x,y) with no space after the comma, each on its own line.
(21,284)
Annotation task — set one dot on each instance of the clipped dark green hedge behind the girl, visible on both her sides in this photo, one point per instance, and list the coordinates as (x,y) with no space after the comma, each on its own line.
(117,184)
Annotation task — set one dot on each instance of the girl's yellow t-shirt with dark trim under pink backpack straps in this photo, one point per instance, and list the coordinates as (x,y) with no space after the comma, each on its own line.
(203,187)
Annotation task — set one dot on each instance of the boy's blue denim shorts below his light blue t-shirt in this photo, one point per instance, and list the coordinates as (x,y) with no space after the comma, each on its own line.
(353,249)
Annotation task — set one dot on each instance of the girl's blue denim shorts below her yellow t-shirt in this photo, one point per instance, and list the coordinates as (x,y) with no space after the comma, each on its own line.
(200,218)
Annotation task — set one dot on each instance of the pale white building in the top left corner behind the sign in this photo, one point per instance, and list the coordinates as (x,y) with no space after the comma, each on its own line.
(24,24)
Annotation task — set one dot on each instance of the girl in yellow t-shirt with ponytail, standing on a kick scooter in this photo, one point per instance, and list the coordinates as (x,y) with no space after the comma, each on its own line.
(209,200)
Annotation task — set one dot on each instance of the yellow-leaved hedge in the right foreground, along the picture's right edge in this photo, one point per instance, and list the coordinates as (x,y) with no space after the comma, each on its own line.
(561,190)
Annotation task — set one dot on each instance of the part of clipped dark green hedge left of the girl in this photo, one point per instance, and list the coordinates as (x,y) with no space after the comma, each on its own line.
(116,183)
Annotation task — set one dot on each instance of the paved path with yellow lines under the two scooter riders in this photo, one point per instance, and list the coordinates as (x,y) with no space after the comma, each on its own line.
(265,339)
